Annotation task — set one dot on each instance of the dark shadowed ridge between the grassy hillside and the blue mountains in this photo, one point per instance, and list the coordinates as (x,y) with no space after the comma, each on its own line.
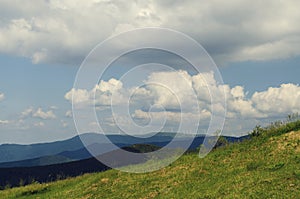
(25,175)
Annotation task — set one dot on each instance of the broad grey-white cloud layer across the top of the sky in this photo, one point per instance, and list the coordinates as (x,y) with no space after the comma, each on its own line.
(48,32)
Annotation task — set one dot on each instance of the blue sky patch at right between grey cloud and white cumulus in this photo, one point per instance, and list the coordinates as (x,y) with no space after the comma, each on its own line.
(259,75)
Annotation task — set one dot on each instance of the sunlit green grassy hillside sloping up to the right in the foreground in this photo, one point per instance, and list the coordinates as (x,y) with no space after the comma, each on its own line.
(266,166)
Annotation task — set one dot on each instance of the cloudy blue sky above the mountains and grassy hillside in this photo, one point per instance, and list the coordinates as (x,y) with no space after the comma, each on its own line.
(255,46)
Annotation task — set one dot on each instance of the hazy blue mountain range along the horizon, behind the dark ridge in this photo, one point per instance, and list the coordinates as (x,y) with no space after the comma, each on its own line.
(13,155)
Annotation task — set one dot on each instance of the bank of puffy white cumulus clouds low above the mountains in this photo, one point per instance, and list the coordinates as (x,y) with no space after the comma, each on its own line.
(164,94)
